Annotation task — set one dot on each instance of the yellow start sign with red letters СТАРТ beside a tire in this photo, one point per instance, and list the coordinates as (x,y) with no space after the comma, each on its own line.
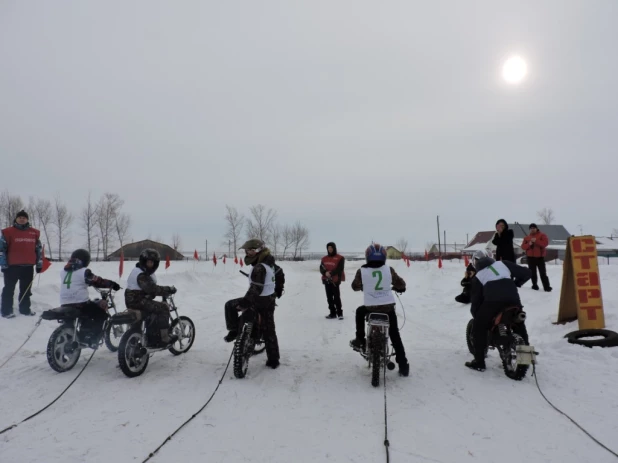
(580,298)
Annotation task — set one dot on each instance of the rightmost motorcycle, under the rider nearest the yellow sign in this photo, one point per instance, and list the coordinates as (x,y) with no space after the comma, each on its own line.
(516,353)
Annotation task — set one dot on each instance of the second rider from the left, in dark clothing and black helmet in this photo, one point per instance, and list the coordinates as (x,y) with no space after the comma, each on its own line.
(141,290)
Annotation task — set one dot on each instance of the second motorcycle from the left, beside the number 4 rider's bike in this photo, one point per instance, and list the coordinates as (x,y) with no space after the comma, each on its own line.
(140,342)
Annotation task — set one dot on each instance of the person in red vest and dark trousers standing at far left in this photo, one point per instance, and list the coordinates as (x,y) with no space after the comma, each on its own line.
(20,250)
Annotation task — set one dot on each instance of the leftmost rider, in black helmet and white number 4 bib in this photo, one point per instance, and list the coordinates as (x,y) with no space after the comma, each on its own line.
(75,279)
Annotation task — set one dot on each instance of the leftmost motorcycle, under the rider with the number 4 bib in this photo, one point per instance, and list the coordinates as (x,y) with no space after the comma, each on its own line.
(67,341)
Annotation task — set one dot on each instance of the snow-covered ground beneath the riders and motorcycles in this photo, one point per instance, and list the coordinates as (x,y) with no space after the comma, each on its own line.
(319,406)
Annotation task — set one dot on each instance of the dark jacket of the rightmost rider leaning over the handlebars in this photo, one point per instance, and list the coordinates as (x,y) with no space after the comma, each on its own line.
(501,291)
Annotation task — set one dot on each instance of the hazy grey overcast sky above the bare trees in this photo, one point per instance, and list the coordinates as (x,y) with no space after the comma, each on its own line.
(363,120)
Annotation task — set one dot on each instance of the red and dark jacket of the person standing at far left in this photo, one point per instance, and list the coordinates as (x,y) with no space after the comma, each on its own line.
(20,245)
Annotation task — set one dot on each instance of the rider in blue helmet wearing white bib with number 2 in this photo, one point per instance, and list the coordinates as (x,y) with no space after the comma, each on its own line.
(379,298)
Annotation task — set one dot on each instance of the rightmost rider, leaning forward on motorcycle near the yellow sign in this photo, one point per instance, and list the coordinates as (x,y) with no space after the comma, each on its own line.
(492,291)
